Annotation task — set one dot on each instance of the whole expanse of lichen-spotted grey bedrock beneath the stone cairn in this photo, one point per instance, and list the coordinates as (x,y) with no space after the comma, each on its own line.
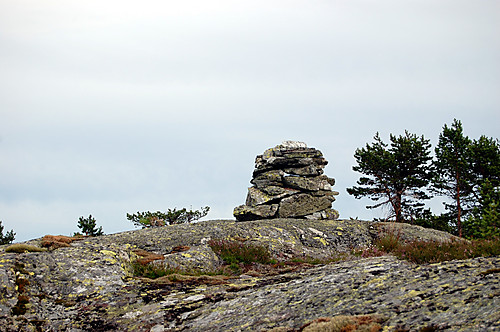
(89,286)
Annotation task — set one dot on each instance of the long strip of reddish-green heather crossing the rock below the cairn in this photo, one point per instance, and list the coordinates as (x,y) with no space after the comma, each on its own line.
(239,256)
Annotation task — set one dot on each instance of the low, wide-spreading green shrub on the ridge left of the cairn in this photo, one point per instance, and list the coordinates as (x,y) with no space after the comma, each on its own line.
(159,219)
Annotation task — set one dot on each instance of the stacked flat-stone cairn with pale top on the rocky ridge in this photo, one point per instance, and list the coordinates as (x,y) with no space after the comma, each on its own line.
(288,182)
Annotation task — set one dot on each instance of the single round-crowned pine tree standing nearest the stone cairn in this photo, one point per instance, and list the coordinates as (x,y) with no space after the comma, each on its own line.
(397,174)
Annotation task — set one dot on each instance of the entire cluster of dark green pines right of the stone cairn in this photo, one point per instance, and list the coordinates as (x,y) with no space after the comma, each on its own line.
(465,171)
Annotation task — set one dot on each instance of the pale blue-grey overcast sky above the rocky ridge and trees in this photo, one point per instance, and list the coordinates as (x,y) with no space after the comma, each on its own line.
(111,107)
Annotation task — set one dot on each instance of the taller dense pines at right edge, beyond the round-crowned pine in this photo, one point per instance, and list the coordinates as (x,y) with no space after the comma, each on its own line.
(468,172)
